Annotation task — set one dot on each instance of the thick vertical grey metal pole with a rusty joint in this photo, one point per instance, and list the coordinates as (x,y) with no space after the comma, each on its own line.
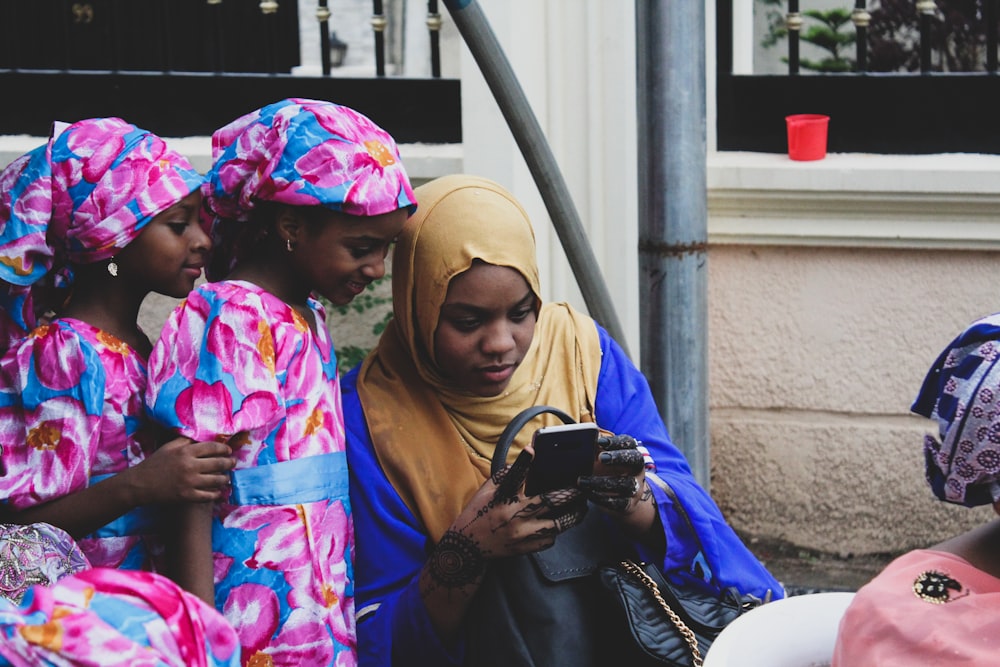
(673,219)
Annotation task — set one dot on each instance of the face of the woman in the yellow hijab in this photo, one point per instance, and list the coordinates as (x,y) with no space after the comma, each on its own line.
(486,325)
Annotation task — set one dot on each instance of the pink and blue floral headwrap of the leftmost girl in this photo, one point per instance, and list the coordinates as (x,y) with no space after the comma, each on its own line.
(78,199)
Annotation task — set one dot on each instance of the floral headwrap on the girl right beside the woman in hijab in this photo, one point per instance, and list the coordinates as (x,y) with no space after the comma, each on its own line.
(301,152)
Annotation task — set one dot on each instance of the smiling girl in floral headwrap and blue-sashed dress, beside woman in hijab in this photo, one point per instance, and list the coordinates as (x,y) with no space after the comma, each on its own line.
(306,197)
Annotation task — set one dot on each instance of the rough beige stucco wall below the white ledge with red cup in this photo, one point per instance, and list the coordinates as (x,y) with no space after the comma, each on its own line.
(815,356)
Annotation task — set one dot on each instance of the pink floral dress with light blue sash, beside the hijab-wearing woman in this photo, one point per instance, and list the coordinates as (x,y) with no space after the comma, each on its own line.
(237,364)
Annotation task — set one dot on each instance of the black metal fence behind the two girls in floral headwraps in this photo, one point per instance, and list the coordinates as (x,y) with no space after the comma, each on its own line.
(185,67)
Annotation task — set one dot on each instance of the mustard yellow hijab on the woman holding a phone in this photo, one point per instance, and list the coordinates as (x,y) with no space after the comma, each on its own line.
(435,441)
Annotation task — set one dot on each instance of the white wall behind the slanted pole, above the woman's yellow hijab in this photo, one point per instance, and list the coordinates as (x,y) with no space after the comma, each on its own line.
(575,60)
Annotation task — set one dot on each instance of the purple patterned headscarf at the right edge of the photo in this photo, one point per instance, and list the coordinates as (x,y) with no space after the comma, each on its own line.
(962,393)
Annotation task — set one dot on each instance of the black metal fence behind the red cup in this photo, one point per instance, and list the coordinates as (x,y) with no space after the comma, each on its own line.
(922,79)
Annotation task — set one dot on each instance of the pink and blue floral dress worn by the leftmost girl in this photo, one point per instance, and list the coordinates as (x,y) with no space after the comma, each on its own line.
(71,413)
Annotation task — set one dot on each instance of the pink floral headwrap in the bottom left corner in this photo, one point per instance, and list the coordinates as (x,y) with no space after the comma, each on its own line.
(114,618)
